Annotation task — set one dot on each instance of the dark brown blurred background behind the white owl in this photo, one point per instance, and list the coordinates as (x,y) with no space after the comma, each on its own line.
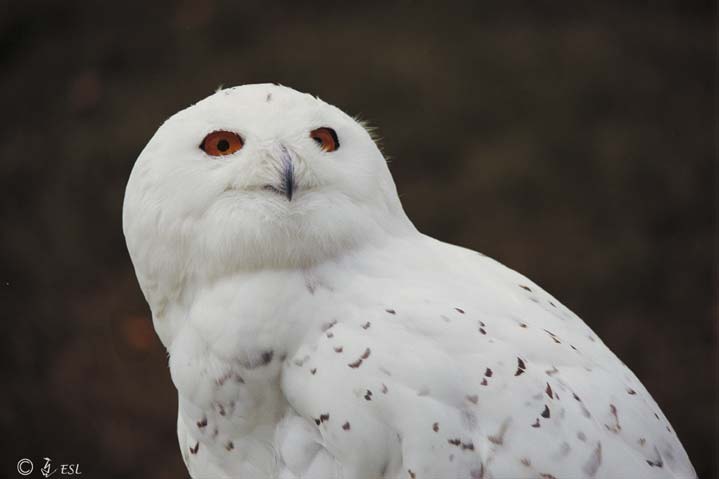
(572,141)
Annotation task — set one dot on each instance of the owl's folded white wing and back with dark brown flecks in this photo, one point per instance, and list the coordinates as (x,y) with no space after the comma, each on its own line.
(473,373)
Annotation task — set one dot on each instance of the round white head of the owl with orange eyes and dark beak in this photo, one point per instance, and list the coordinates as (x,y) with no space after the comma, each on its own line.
(256,176)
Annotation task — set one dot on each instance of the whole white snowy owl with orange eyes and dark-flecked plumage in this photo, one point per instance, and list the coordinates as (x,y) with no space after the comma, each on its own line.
(314,333)
